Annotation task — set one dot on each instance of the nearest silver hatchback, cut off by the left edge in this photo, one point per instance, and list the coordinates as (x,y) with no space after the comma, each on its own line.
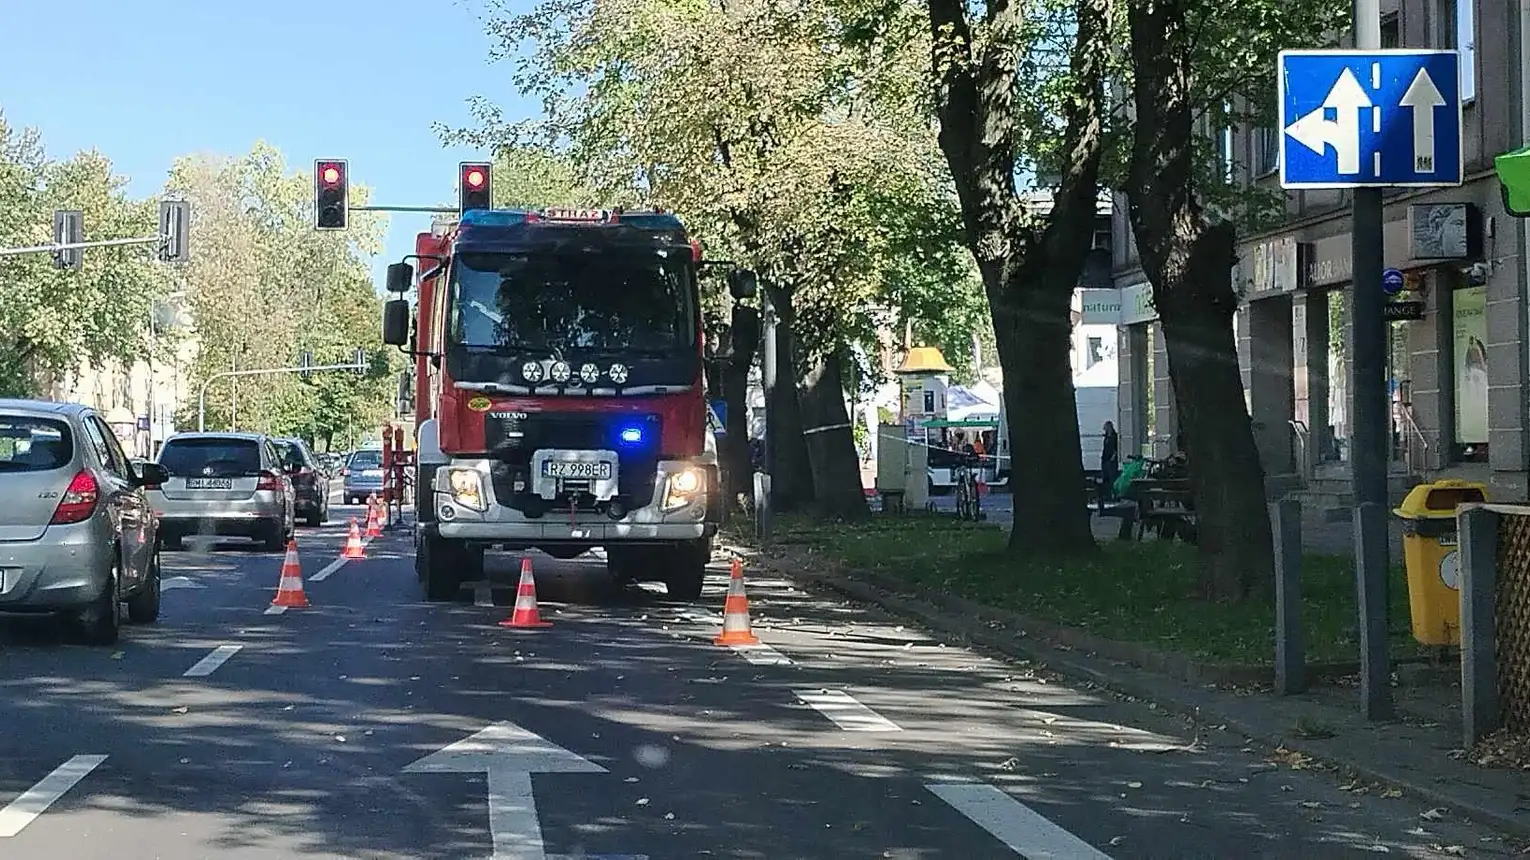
(77,533)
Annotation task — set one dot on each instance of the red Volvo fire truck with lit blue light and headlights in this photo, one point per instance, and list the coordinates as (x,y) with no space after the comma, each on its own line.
(559,391)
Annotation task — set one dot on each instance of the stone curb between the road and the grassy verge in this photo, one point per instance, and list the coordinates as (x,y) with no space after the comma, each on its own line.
(876,590)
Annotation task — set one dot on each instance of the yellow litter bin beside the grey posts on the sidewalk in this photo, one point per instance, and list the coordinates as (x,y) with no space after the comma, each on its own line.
(1431,558)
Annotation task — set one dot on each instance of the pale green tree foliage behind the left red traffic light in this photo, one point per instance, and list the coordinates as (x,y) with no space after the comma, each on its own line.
(265,287)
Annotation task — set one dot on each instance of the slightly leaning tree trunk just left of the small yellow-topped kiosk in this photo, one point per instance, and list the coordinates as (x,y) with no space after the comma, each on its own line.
(832,441)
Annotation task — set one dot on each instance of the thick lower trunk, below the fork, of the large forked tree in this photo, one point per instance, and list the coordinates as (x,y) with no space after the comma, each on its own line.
(1032,333)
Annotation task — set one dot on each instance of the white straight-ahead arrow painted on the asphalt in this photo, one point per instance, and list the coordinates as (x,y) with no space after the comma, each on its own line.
(509,755)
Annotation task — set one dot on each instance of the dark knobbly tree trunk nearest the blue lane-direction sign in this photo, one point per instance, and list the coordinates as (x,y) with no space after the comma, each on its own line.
(1188,255)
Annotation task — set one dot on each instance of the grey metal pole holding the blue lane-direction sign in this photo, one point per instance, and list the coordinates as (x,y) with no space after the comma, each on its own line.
(1372,438)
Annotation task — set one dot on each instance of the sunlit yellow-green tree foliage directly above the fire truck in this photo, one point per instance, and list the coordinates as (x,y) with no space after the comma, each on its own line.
(792,138)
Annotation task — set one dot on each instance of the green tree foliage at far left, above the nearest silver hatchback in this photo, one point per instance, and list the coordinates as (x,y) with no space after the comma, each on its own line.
(54,321)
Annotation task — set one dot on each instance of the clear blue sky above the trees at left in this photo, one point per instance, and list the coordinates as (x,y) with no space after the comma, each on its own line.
(149,80)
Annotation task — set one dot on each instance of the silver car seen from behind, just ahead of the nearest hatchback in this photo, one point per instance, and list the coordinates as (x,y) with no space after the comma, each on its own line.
(224,484)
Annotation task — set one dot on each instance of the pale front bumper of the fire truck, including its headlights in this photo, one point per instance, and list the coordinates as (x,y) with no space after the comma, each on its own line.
(685,507)
